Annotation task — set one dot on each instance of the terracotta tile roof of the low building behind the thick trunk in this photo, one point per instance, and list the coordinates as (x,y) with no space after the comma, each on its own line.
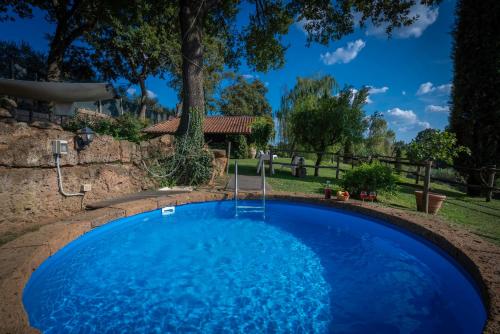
(211,125)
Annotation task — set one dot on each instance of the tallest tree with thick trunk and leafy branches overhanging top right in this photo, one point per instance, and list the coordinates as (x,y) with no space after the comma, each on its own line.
(261,39)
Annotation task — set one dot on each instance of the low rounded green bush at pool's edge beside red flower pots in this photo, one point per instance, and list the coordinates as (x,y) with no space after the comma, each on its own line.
(369,177)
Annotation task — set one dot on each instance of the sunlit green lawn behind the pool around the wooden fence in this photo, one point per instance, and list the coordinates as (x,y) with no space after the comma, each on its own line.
(475,214)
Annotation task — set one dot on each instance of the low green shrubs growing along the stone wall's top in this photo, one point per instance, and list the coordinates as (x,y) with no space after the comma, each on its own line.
(124,127)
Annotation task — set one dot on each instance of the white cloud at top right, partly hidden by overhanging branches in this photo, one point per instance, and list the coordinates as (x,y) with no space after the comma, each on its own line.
(424,17)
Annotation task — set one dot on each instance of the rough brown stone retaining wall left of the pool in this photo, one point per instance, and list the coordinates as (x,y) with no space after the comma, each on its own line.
(29,188)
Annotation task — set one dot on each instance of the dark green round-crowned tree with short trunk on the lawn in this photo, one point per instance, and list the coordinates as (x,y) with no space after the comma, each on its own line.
(321,121)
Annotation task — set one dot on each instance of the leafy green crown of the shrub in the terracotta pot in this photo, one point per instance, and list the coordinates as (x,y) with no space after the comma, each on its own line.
(435,145)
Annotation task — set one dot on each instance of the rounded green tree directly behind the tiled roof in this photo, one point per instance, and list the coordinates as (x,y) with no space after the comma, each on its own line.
(245,98)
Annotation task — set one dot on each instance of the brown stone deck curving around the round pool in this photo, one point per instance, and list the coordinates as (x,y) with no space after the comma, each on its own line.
(20,257)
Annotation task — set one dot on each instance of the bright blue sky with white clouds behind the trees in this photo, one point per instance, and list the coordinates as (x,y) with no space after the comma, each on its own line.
(410,73)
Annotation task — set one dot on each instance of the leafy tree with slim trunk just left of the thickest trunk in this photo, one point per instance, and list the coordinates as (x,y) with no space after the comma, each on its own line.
(136,43)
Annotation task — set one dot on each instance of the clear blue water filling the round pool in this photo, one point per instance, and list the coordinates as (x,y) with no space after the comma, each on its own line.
(302,269)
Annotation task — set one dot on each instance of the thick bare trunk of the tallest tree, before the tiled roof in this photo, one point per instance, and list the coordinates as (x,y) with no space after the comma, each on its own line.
(193,100)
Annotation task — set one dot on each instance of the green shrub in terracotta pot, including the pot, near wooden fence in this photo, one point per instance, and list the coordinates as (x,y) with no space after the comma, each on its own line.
(433,145)
